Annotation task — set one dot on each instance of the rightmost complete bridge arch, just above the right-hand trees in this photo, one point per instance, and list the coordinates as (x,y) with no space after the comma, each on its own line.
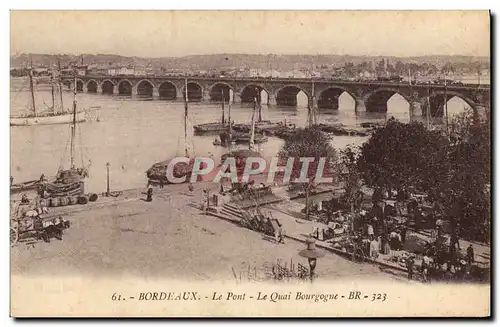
(437,100)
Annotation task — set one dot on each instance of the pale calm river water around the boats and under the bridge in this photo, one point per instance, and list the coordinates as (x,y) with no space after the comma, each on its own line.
(132,133)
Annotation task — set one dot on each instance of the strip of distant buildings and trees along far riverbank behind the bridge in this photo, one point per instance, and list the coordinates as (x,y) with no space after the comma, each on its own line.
(366,70)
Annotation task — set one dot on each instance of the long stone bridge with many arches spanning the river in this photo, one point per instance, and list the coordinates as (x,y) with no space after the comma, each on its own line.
(369,96)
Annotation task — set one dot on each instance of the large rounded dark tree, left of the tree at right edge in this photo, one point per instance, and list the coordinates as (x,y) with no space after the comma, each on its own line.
(403,156)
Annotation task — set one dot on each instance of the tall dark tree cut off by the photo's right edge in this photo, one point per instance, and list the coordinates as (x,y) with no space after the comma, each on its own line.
(468,206)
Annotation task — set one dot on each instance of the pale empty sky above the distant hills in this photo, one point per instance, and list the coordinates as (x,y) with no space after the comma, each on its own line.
(181,33)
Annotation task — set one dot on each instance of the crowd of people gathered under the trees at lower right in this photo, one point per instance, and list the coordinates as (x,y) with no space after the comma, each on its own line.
(383,229)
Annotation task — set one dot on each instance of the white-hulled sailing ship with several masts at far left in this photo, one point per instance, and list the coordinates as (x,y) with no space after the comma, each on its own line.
(50,117)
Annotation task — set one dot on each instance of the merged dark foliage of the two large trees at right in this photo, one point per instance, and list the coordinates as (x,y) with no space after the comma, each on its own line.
(453,170)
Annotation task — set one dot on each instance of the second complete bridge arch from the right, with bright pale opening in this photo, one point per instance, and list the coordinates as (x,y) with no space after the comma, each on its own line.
(378,100)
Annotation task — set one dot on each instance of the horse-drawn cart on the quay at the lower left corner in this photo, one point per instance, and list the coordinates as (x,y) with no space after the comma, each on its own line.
(39,227)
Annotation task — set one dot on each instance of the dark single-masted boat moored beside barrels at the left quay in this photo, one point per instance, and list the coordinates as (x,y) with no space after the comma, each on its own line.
(70,181)
